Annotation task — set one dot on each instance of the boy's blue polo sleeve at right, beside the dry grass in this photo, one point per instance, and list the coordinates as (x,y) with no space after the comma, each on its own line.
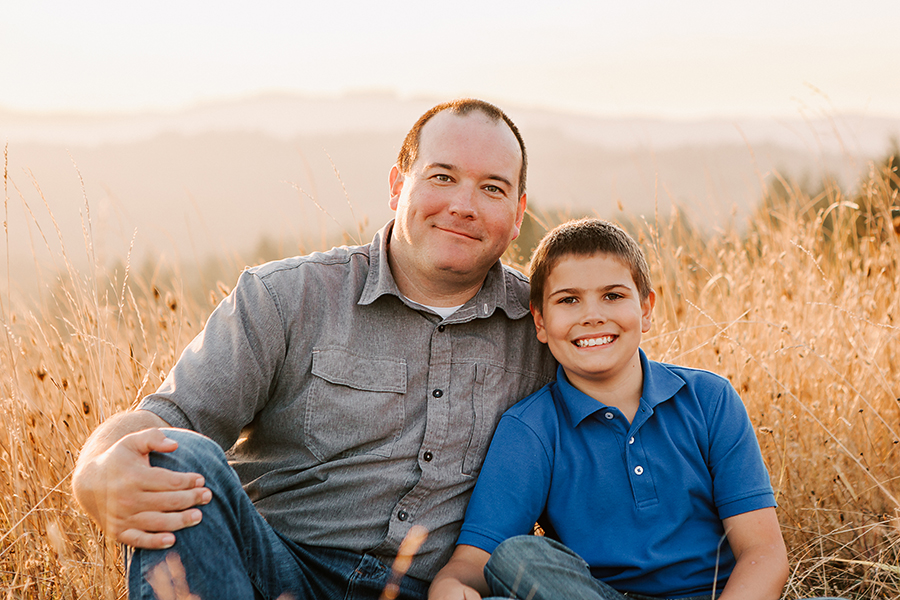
(740,479)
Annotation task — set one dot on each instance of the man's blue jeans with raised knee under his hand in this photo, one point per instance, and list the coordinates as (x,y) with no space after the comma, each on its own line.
(234,553)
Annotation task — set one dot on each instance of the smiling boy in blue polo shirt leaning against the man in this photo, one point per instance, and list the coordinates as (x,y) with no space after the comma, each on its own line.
(650,473)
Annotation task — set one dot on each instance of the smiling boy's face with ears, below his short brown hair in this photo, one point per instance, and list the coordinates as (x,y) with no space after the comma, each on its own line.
(592,319)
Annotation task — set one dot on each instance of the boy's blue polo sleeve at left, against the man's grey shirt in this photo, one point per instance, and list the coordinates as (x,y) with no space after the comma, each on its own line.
(511,490)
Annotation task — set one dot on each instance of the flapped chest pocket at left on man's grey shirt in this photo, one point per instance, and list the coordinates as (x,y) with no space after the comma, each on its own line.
(354,404)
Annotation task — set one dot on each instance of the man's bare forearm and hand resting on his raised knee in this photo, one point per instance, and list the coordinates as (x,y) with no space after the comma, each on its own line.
(137,504)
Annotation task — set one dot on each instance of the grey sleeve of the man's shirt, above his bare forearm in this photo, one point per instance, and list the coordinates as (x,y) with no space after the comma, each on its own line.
(224,376)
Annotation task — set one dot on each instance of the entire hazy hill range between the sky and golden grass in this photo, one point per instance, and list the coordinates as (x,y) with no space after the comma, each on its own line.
(219,178)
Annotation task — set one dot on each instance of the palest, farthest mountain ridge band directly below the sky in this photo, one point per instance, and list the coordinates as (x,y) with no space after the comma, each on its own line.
(285,116)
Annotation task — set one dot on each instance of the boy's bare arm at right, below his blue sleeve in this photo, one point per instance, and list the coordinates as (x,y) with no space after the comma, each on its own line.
(762,566)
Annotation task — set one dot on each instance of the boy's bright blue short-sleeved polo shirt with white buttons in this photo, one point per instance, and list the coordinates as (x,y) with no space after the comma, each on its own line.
(643,502)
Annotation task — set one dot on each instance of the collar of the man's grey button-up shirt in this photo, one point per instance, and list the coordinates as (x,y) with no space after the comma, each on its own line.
(494,292)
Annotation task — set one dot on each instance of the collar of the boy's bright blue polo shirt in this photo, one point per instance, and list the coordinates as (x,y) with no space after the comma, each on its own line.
(660,384)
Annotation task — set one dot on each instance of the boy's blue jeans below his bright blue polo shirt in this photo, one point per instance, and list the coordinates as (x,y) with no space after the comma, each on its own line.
(538,568)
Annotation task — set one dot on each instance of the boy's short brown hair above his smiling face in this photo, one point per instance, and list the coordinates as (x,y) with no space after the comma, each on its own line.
(586,237)
